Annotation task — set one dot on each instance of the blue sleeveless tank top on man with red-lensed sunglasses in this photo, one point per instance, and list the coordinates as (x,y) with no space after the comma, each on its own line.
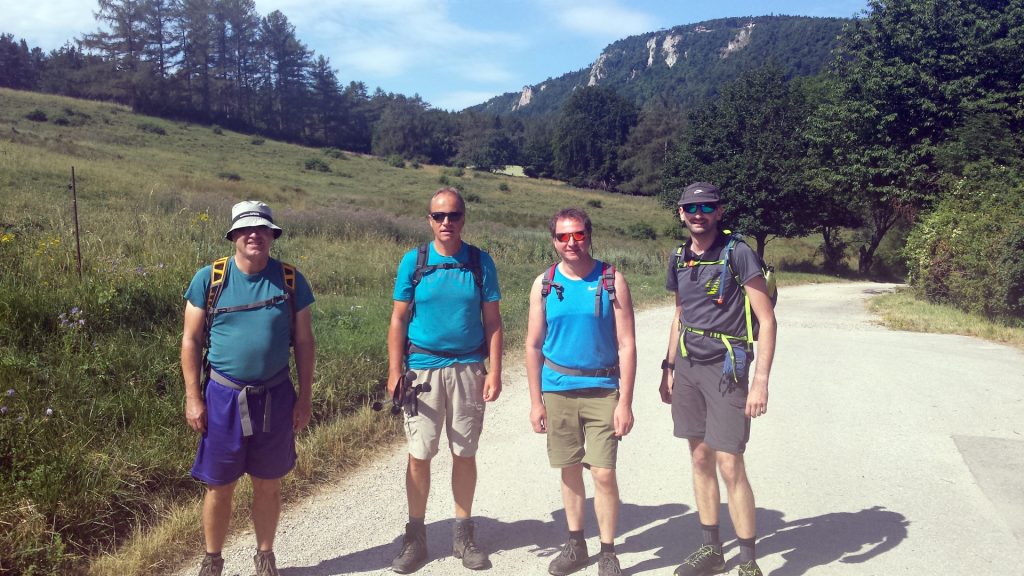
(578,339)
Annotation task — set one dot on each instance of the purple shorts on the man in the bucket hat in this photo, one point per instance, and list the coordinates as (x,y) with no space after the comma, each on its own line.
(224,455)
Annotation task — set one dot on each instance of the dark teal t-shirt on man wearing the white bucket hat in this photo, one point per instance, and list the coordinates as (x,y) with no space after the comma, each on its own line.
(251,345)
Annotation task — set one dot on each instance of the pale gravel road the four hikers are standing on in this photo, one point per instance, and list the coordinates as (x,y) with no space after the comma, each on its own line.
(882,454)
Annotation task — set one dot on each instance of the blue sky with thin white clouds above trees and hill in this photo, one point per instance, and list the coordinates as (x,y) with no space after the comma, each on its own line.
(454,54)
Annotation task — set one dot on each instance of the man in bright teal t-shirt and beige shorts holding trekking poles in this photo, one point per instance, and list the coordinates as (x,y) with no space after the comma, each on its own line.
(446,321)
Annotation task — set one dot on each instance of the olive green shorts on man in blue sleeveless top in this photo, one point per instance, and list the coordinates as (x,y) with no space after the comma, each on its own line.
(581,428)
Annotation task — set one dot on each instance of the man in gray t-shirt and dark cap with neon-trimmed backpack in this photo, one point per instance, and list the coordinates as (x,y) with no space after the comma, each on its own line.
(707,373)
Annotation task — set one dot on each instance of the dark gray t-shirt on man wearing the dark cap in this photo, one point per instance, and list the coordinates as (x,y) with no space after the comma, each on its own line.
(698,285)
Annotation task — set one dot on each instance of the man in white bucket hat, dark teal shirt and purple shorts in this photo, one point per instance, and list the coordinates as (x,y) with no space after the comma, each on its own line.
(243,403)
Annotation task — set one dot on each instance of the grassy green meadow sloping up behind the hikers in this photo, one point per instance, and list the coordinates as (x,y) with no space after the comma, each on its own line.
(95,454)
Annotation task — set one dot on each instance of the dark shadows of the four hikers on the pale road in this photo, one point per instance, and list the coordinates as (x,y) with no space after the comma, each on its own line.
(668,530)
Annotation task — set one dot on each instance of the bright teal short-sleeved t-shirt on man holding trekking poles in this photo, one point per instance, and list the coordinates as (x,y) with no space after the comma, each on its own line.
(447,317)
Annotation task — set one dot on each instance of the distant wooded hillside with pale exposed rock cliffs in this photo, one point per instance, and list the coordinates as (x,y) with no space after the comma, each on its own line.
(686,64)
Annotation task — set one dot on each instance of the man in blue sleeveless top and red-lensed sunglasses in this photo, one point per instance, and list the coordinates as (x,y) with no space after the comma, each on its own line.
(581,365)
